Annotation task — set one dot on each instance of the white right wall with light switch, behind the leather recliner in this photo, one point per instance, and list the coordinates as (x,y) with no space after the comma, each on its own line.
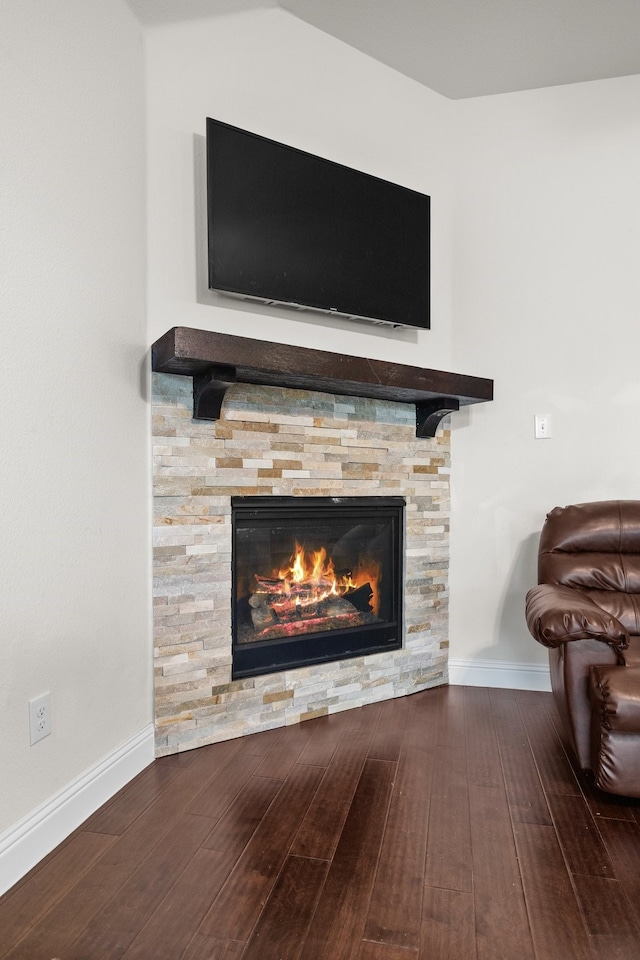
(547,301)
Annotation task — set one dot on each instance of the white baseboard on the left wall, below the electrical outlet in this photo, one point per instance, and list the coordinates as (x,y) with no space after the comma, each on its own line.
(37,834)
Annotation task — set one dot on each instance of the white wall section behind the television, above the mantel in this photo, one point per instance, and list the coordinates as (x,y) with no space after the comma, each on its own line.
(269,72)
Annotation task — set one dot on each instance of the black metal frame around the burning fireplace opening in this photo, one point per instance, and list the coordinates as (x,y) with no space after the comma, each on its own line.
(262,657)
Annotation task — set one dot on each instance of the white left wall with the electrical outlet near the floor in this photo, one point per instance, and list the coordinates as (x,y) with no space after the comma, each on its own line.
(74,463)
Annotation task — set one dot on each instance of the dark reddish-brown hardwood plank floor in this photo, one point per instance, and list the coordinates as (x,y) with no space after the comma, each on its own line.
(449,825)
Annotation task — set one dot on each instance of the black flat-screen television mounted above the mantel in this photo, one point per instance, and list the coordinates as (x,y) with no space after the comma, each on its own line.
(288,227)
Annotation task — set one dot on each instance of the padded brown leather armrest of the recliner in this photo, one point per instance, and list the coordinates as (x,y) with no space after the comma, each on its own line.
(557,614)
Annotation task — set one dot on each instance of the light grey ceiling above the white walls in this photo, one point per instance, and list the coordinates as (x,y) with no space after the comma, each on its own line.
(461,48)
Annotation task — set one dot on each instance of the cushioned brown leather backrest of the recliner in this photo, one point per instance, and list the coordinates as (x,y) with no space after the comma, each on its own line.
(595,548)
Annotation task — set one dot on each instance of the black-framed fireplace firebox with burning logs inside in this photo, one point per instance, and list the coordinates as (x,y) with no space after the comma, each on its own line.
(314,579)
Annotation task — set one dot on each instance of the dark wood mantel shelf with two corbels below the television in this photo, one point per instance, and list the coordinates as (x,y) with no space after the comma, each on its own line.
(218,360)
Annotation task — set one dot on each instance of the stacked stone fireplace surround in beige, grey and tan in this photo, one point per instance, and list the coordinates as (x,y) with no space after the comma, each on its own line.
(272,441)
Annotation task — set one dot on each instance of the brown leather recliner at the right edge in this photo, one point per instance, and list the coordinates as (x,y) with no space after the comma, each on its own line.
(586,610)
